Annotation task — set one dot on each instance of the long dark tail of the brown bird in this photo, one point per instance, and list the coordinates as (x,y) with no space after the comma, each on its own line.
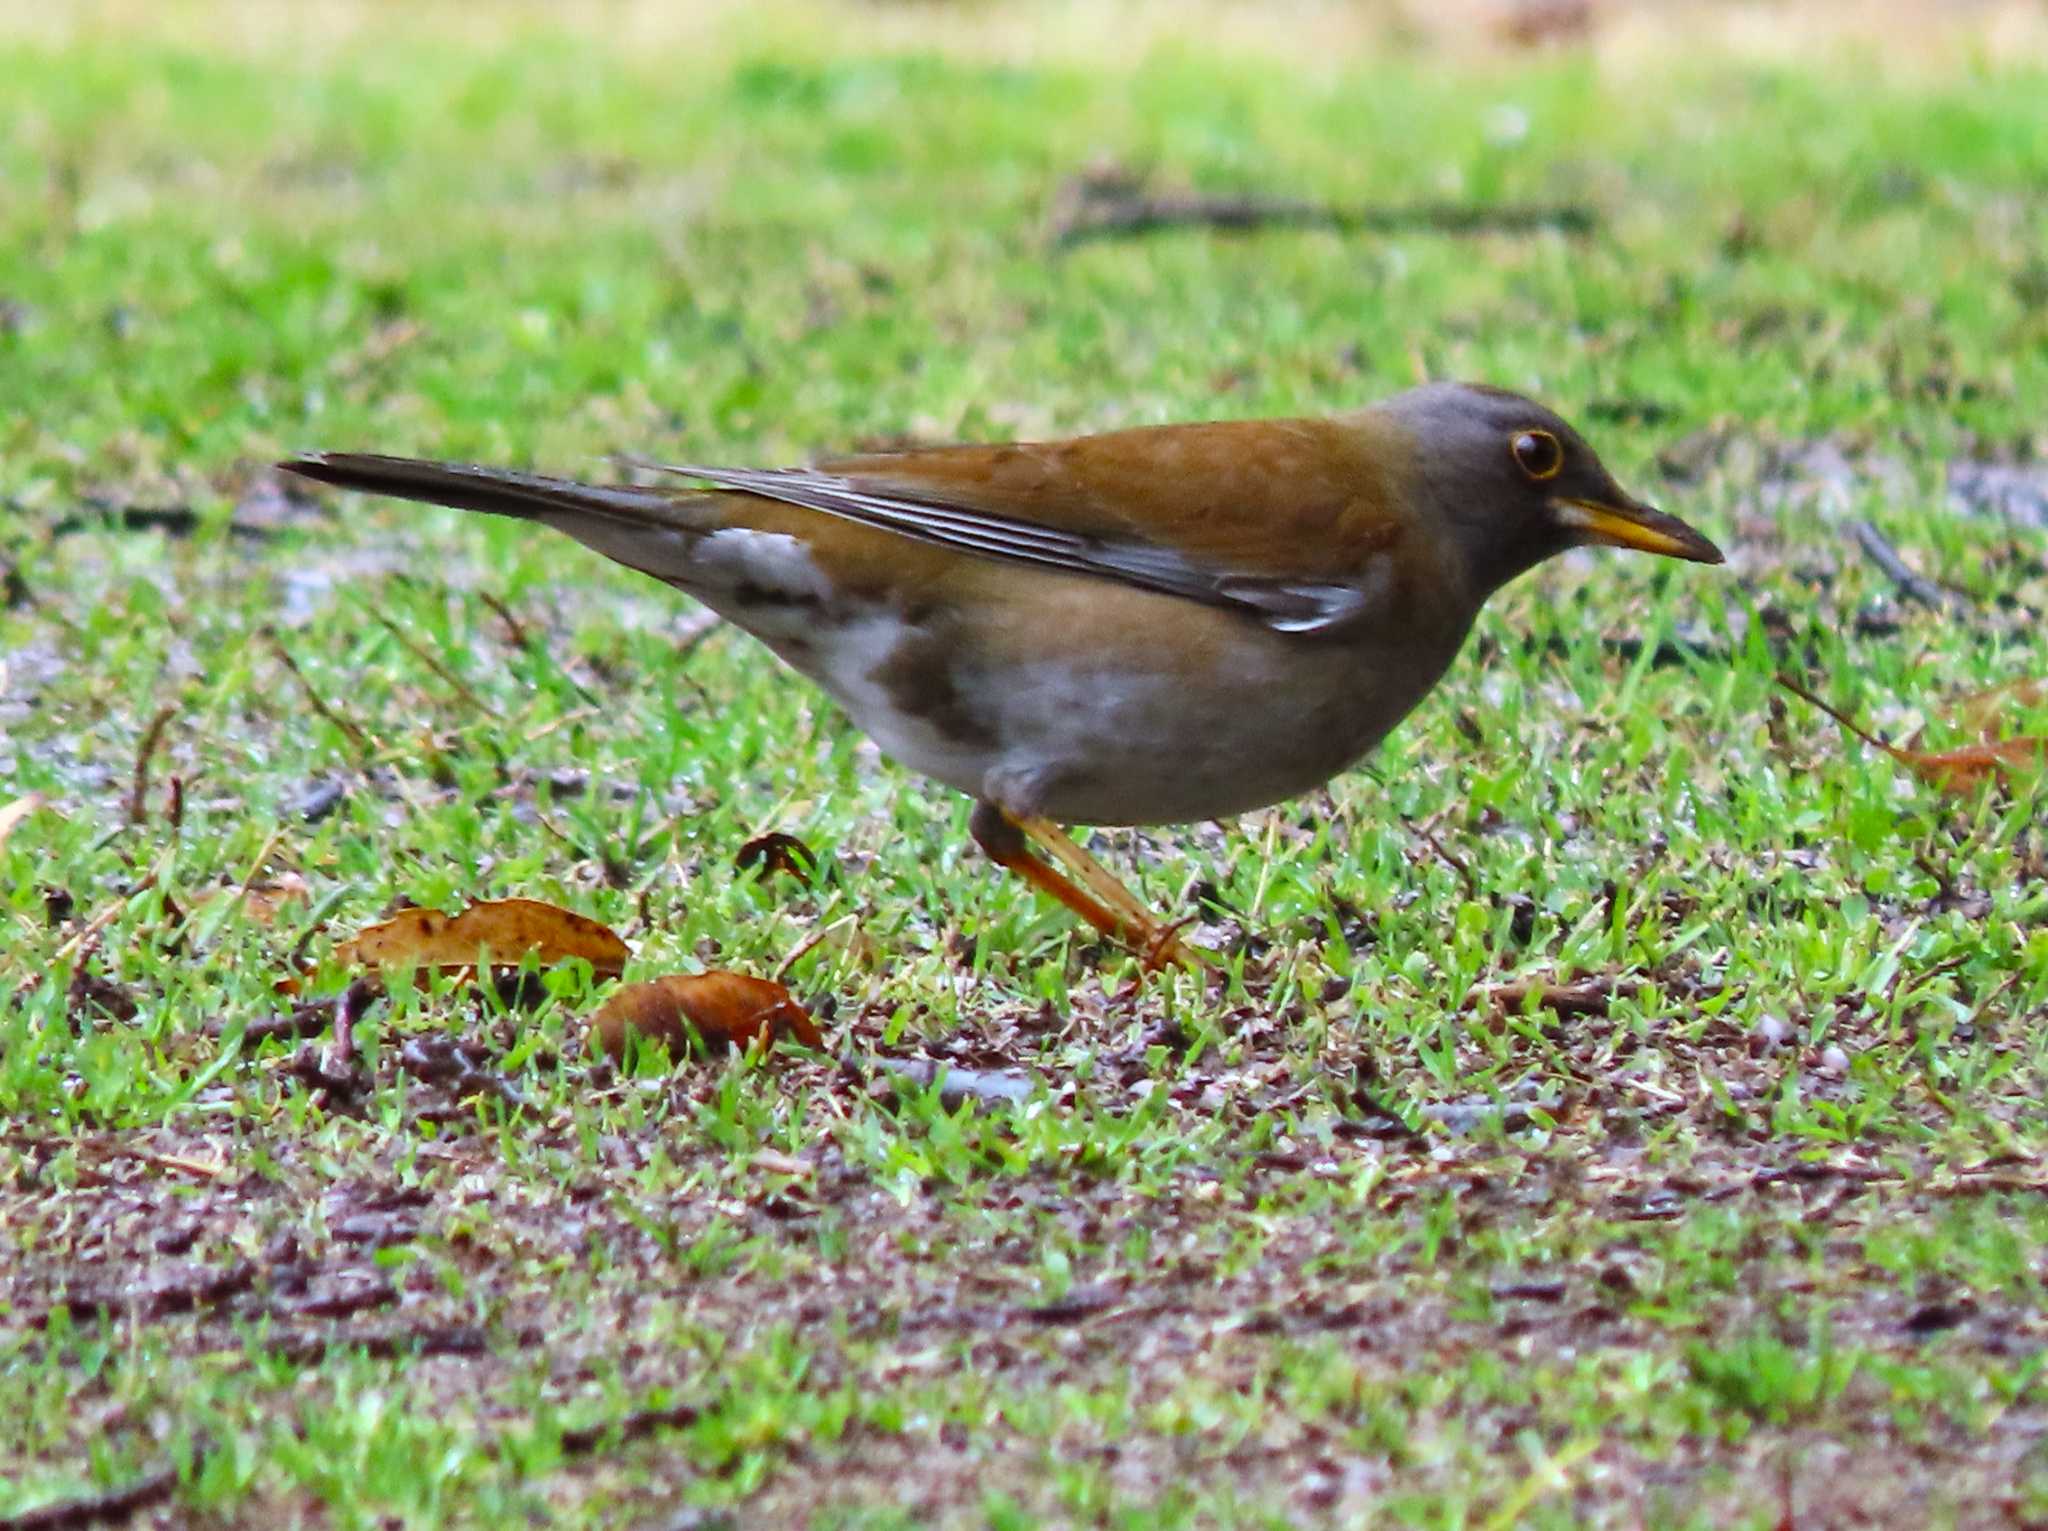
(501,492)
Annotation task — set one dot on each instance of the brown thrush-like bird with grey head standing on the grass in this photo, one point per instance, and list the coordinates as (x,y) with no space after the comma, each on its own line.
(1140,627)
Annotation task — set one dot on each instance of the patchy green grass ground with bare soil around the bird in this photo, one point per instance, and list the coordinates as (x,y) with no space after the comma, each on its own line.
(1697,1276)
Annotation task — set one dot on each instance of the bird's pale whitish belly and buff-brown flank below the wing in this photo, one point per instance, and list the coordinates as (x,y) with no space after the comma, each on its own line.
(1080,701)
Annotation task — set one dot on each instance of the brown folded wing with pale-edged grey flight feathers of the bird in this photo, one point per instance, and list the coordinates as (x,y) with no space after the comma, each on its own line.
(1281,519)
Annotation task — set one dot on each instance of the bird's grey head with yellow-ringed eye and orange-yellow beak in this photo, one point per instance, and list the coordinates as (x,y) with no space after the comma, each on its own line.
(1517,484)
